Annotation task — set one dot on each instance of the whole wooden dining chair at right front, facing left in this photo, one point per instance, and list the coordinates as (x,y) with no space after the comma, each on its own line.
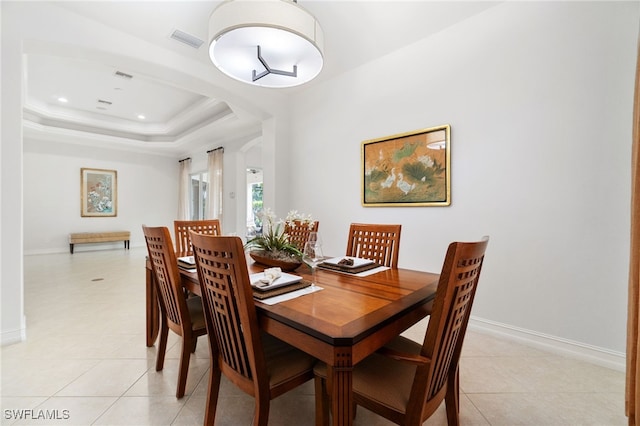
(406,382)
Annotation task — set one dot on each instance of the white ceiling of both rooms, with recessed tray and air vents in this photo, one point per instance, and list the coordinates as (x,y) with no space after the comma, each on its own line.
(103,104)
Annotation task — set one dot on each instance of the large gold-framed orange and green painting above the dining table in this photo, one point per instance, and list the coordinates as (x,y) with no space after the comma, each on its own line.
(408,169)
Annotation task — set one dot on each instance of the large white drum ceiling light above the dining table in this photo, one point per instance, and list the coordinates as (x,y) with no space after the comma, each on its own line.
(269,43)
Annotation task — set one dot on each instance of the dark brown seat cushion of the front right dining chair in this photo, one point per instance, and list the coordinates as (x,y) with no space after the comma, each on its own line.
(378,378)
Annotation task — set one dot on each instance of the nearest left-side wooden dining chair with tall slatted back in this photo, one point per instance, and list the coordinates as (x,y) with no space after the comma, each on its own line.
(257,363)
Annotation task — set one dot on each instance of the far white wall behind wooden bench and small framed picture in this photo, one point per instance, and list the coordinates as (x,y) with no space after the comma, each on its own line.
(147,194)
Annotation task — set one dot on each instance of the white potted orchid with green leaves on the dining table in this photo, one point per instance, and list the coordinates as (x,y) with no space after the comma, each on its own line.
(273,247)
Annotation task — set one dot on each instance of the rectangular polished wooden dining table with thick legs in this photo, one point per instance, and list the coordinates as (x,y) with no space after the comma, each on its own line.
(349,319)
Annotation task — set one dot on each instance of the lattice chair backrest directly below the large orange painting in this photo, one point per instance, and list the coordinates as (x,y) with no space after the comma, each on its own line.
(377,242)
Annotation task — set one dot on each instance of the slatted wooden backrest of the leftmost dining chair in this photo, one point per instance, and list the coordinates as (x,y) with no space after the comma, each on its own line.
(167,276)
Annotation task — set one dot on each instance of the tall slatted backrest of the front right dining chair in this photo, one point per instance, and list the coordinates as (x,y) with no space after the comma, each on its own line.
(448,321)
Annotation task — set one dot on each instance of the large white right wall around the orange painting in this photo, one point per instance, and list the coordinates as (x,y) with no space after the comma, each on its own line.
(539,98)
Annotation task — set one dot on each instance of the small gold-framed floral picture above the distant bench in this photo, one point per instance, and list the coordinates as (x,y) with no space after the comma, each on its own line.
(98,193)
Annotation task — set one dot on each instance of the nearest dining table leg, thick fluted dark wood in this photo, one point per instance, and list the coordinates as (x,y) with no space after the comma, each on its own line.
(340,384)
